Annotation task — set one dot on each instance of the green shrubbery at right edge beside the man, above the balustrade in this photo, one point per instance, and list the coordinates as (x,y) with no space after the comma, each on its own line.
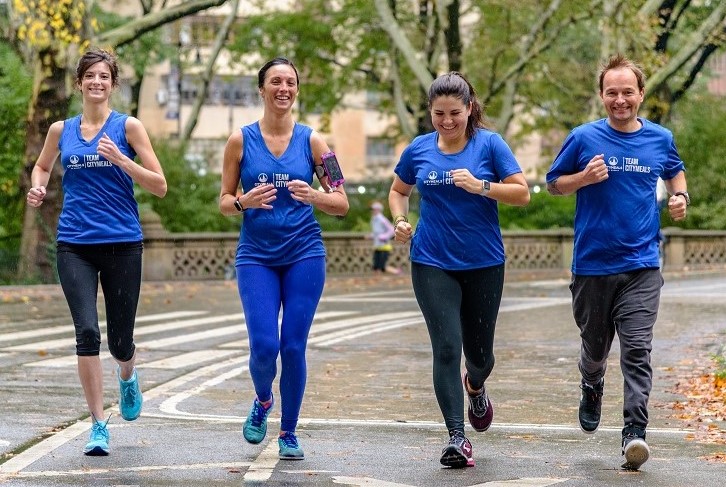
(699,125)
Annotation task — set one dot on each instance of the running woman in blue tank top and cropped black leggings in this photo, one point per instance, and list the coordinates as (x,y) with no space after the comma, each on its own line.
(99,232)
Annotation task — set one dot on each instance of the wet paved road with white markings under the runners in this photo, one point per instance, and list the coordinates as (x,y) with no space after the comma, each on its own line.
(369,416)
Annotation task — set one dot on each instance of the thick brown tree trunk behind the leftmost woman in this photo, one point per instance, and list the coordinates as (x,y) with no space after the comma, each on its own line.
(37,248)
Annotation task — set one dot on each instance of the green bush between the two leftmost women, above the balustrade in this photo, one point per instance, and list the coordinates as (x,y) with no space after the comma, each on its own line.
(191,201)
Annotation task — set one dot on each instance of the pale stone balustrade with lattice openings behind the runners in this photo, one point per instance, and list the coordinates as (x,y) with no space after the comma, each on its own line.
(201,256)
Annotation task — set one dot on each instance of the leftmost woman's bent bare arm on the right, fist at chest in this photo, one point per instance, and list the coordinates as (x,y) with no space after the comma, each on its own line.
(148,174)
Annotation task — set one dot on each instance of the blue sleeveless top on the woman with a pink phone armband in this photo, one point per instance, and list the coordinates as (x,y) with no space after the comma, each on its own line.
(289,231)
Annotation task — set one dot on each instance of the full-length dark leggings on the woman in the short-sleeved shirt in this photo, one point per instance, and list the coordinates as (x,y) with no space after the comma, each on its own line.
(460,309)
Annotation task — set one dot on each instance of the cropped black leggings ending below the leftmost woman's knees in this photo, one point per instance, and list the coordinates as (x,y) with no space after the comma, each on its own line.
(119,268)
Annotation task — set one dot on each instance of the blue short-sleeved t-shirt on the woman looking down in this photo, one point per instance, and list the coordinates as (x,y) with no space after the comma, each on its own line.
(457,230)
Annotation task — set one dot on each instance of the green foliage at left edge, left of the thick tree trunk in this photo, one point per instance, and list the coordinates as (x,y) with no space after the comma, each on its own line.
(15,89)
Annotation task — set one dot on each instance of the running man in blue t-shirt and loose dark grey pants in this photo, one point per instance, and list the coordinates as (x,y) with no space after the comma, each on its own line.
(613,165)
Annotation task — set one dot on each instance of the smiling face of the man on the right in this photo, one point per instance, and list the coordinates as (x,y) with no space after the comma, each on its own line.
(621,97)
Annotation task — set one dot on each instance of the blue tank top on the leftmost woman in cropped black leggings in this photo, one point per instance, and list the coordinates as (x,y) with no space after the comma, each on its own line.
(98,197)
